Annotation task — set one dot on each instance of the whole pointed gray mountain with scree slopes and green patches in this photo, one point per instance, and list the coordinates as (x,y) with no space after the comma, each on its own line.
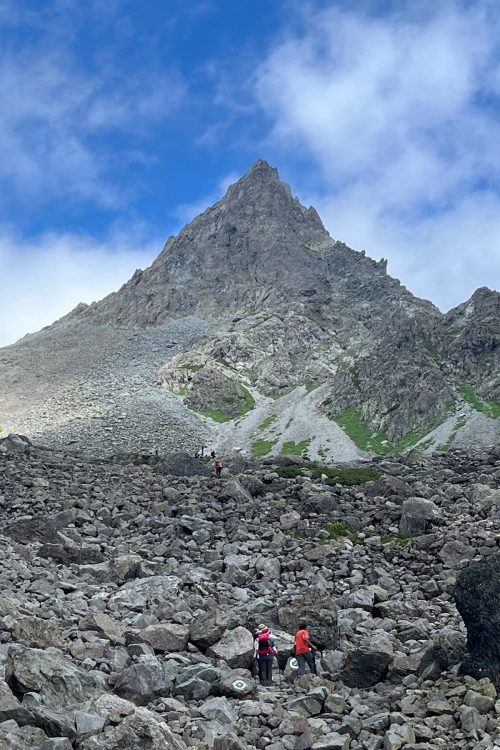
(255,319)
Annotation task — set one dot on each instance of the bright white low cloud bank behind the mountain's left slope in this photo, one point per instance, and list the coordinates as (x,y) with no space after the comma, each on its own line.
(44,279)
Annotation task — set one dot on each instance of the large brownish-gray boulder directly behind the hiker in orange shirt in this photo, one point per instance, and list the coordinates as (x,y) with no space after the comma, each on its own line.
(319,611)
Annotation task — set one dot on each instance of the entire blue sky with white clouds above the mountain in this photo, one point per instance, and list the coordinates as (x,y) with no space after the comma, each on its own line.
(122,120)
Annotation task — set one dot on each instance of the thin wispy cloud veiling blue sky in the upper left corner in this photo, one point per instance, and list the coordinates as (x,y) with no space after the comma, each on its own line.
(60,119)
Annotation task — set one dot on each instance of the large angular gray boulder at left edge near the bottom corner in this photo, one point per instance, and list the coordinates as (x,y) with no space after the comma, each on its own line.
(48,672)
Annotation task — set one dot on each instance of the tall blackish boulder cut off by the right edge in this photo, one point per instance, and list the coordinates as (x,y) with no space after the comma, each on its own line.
(477,597)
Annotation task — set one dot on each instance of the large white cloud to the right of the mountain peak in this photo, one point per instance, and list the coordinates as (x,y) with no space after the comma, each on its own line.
(400,115)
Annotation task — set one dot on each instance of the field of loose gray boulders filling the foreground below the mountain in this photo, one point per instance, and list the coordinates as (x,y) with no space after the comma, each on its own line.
(129,592)
